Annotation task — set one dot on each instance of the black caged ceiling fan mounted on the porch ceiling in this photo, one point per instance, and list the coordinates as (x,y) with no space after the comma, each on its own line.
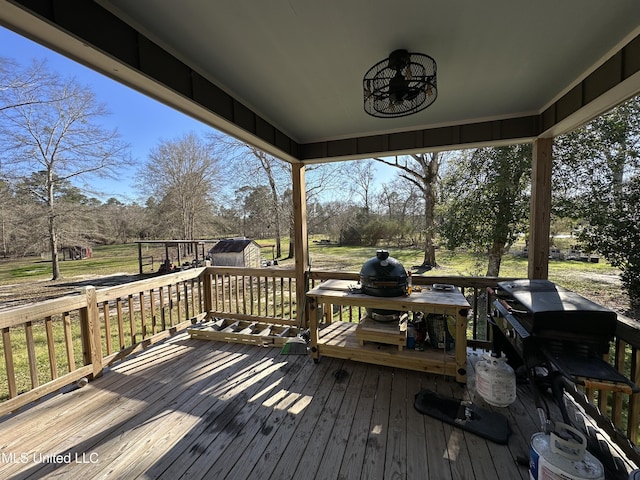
(403,84)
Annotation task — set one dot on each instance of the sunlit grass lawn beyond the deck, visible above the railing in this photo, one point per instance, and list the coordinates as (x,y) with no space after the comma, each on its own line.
(599,281)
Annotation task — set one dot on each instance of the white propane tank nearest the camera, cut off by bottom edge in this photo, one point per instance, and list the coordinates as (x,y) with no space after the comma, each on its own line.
(553,457)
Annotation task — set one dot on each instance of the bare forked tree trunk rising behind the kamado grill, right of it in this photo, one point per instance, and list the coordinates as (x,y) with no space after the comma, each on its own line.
(422,171)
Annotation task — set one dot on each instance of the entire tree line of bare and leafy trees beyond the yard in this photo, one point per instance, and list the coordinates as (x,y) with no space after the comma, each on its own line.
(191,187)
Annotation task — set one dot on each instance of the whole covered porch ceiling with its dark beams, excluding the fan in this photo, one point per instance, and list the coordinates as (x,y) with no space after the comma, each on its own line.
(286,75)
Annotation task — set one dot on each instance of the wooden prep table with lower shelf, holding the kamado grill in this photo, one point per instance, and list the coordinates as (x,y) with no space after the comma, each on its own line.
(338,339)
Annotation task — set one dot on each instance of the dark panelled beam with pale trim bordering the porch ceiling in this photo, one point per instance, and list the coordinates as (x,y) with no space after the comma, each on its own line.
(92,35)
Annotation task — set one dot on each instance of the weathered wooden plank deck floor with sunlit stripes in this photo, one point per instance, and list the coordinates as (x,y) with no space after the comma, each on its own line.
(200,409)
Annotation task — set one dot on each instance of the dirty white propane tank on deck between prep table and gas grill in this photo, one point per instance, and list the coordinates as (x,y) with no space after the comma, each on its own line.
(495,381)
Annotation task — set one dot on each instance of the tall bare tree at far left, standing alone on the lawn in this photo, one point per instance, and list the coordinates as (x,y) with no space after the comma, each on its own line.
(52,128)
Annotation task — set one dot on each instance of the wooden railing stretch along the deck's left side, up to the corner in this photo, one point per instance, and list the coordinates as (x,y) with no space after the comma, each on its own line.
(53,344)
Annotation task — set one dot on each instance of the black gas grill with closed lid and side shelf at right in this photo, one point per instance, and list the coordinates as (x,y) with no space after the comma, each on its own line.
(537,323)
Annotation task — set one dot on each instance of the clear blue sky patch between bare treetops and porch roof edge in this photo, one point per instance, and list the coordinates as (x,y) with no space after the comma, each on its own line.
(141,121)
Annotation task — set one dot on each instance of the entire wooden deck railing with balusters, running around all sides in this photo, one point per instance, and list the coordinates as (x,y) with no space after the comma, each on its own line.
(52,344)
